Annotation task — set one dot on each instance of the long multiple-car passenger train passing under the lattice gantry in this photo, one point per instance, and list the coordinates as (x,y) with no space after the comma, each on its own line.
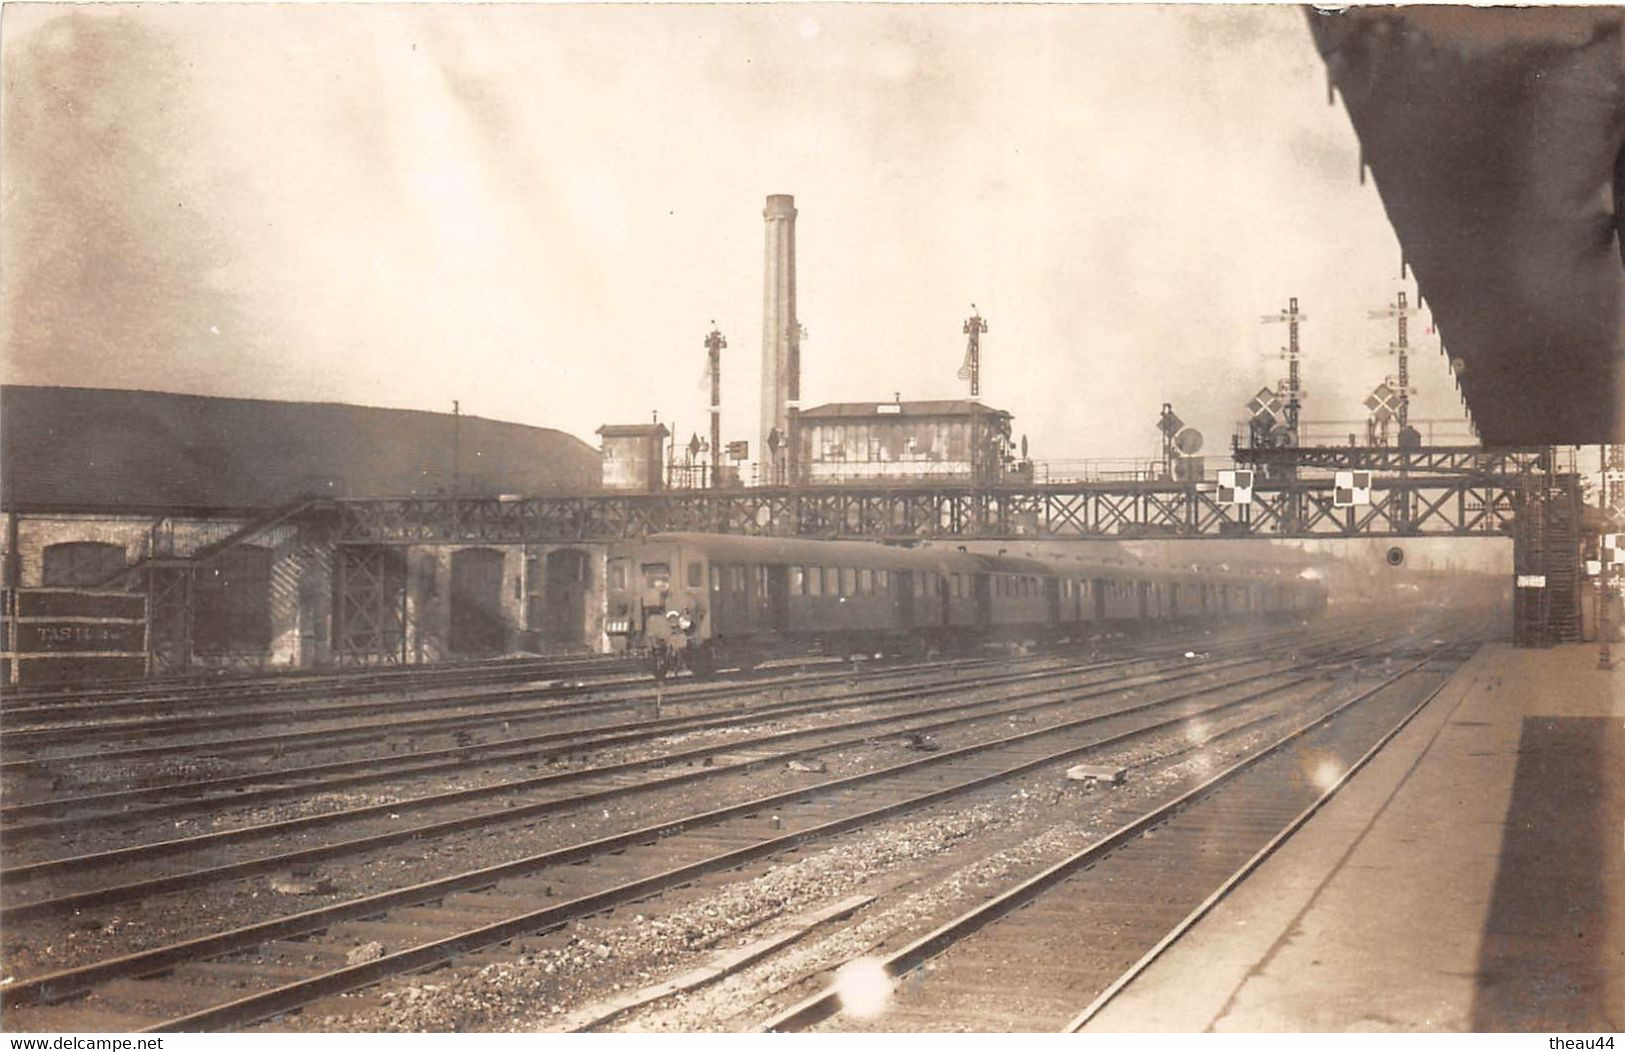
(706,601)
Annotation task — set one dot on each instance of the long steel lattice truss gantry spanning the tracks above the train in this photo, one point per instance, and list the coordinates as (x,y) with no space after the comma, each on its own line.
(1418,506)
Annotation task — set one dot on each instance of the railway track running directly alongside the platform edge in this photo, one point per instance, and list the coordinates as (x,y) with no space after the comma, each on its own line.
(1051,952)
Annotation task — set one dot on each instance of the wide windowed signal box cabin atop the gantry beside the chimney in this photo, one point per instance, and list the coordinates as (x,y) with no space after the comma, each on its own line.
(904,443)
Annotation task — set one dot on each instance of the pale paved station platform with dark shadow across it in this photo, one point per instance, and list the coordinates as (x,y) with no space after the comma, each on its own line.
(1470,879)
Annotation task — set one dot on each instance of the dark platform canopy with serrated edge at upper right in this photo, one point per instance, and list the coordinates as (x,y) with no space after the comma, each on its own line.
(1494,137)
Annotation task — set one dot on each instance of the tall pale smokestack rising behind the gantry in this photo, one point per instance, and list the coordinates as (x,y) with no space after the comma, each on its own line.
(781,341)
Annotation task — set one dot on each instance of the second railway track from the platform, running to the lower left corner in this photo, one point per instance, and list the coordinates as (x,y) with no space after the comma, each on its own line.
(472,910)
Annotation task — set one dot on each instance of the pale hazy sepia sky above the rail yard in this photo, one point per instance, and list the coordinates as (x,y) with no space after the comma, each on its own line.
(542,211)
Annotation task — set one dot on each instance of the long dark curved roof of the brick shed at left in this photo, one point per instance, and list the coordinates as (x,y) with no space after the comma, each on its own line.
(93,450)
